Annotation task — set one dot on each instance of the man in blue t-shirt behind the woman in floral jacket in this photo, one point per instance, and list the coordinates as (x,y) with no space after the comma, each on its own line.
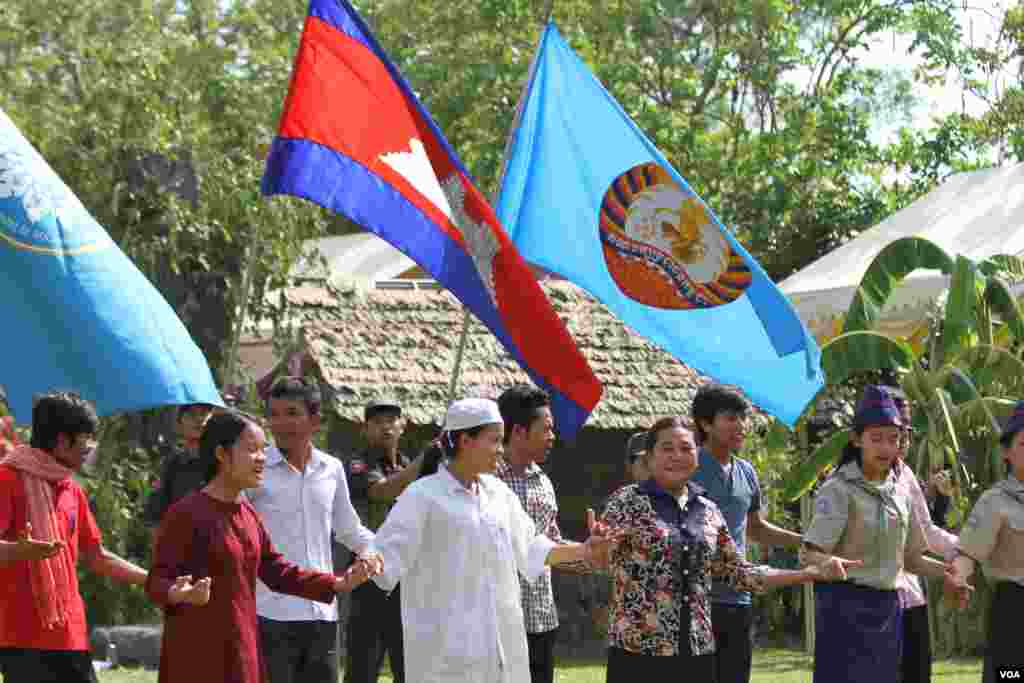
(720,417)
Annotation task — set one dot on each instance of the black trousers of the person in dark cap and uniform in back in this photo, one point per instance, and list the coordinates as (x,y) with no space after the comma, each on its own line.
(374,630)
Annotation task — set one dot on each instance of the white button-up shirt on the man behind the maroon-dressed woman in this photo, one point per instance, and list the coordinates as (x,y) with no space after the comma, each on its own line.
(301,510)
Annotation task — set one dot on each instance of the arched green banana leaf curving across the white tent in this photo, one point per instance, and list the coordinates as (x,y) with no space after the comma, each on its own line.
(894,263)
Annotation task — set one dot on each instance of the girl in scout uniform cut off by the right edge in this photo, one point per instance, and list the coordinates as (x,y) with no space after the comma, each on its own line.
(995,536)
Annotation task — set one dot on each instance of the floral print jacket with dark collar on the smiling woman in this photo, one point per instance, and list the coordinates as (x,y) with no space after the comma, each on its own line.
(663,570)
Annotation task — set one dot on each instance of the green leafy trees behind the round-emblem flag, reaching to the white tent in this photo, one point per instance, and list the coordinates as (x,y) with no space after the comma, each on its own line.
(762,106)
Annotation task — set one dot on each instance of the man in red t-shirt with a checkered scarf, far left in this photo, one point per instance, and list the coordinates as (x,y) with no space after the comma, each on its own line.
(46,527)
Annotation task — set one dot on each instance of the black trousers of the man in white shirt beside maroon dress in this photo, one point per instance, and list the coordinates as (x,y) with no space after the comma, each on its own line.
(300,652)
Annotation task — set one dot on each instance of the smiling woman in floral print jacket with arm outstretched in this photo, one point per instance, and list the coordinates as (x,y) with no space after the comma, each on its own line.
(675,541)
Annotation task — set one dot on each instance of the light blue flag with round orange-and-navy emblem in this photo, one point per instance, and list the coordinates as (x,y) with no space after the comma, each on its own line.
(586,195)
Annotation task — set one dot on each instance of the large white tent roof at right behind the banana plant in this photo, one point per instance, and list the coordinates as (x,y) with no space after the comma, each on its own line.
(977,215)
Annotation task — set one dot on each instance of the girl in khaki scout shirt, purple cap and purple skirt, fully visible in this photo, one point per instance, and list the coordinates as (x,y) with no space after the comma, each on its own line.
(862,515)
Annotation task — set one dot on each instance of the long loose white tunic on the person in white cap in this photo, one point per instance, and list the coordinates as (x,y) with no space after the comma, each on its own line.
(457,554)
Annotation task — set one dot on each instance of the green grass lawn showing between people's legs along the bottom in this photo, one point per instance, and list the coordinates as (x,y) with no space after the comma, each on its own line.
(771,666)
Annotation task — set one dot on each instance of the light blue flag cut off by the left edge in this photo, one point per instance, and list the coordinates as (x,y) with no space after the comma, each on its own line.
(77,314)
